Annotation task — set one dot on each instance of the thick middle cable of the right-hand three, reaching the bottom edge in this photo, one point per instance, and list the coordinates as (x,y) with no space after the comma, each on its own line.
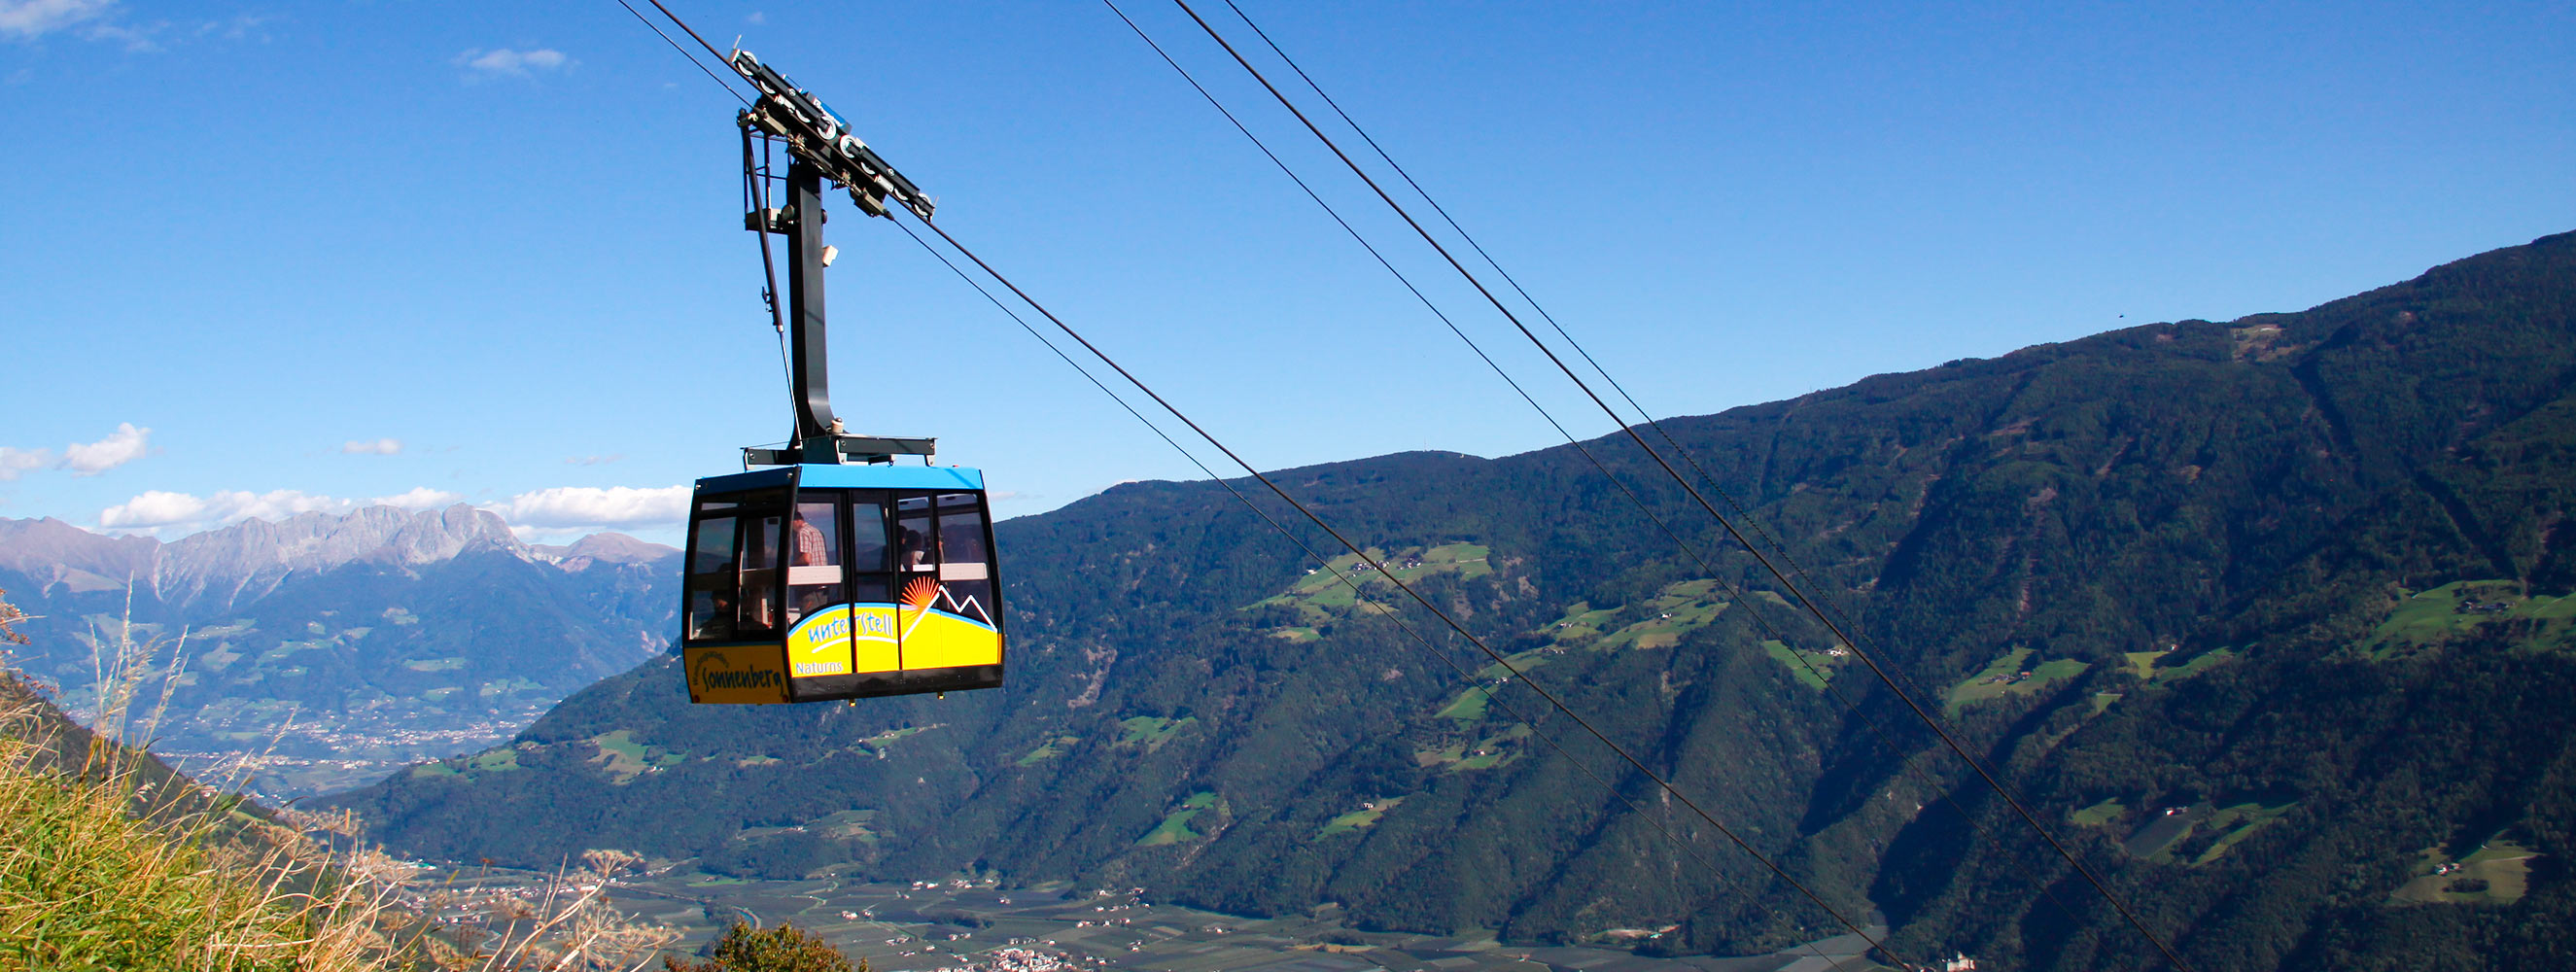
(1768,563)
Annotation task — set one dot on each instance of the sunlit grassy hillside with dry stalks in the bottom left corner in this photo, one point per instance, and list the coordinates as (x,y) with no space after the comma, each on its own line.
(109,860)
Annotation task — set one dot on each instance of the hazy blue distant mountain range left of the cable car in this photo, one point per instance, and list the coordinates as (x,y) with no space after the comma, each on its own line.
(334,648)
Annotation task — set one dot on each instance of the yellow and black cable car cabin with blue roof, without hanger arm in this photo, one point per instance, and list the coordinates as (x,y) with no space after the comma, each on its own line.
(813,584)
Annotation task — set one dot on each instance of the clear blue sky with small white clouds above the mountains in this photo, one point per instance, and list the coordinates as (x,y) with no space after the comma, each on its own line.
(274,257)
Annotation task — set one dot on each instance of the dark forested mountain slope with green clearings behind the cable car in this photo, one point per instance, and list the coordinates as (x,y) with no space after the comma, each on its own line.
(2263,617)
